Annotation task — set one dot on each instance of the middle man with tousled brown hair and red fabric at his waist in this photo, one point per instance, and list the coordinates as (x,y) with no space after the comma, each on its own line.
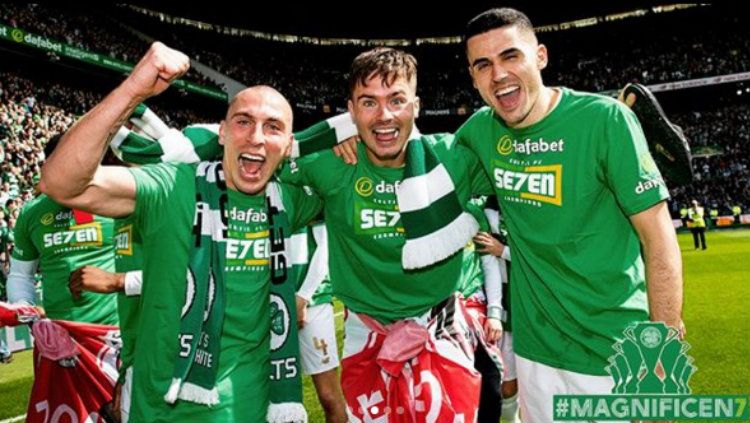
(403,313)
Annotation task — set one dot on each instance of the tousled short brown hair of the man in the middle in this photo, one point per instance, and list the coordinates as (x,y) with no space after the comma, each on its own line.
(385,62)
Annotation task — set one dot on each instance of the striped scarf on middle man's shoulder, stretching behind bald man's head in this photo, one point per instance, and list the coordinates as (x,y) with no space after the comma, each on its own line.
(435,224)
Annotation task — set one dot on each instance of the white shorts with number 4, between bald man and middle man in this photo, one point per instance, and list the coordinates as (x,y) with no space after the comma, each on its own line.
(317,340)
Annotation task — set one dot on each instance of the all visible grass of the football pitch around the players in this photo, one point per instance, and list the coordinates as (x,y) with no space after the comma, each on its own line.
(717,316)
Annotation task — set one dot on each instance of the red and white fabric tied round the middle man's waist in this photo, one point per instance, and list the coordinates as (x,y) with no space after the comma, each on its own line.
(394,382)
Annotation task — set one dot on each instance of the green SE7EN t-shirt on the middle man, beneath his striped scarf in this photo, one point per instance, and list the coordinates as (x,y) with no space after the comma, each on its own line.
(365,233)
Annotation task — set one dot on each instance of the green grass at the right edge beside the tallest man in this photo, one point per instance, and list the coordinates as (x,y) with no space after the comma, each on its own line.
(716,312)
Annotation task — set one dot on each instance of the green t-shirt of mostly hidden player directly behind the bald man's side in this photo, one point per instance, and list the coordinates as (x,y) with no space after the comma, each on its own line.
(128,257)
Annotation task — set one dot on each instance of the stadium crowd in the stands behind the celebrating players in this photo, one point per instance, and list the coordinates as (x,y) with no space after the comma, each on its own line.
(32,111)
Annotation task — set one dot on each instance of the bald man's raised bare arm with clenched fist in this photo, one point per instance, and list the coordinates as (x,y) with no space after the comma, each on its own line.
(72,176)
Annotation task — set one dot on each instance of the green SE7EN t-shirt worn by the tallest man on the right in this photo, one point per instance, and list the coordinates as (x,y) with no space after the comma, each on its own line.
(566,186)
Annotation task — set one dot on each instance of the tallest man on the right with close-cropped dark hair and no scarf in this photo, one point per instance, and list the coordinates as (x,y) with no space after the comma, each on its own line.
(579,192)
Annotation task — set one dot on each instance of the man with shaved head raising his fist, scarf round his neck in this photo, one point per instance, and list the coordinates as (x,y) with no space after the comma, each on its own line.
(213,238)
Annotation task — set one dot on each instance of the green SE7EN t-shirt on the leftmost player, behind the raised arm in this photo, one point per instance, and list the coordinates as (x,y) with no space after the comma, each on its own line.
(48,232)
